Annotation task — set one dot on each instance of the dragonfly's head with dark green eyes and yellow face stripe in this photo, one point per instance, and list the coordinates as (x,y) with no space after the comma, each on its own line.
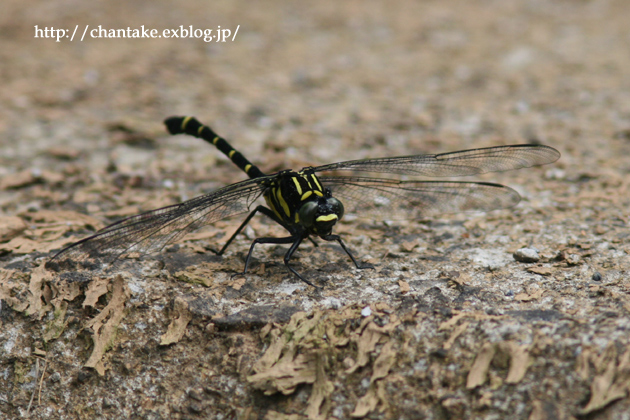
(320,215)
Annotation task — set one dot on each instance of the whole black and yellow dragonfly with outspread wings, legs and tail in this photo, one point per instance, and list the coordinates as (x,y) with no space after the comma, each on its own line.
(308,205)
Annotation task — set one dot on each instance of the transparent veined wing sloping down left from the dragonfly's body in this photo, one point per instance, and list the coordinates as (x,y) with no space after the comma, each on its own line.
(151,231)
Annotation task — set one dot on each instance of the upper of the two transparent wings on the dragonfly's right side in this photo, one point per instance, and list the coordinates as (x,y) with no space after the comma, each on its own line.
(465,162)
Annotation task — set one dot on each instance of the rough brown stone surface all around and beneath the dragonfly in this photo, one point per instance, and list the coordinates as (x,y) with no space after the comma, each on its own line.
(457,327)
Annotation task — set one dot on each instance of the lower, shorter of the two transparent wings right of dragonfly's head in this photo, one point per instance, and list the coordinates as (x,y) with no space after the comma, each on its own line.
(388,199)
